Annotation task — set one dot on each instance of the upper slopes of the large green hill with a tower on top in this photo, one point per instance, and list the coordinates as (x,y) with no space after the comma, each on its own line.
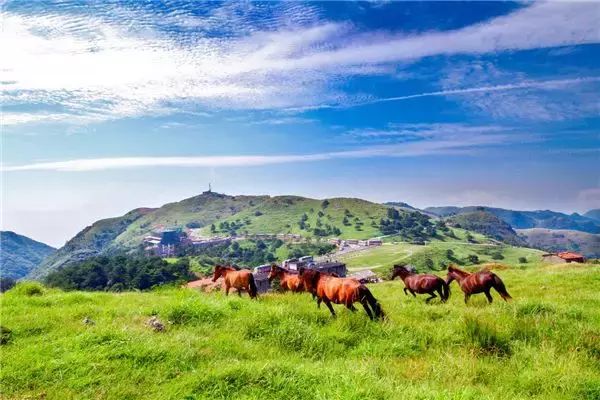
(214,214)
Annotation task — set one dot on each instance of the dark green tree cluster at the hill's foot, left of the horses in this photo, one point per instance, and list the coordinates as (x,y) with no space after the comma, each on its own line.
(118,273)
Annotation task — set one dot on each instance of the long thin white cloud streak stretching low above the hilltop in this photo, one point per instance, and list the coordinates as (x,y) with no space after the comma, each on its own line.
(424,139)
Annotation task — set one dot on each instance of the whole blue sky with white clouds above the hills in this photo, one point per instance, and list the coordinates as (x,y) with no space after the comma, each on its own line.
(110,106)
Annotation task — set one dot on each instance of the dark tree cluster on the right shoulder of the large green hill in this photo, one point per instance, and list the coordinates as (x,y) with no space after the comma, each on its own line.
(415,226)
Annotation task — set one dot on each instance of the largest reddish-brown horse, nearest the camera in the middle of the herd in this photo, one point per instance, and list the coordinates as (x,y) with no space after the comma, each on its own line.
(347,291)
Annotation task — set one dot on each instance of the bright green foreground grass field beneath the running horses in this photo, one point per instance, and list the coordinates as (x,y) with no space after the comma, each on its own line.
(543,345)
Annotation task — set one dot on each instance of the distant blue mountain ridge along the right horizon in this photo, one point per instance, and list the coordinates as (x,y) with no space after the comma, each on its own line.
(528,219)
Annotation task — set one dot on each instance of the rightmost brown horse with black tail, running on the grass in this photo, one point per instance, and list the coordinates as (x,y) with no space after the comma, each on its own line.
(478,282)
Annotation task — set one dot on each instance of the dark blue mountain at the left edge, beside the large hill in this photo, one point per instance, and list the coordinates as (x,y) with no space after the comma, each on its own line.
(20,254)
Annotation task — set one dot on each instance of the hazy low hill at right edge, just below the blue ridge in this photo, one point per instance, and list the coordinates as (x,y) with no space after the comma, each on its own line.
(553,240)
